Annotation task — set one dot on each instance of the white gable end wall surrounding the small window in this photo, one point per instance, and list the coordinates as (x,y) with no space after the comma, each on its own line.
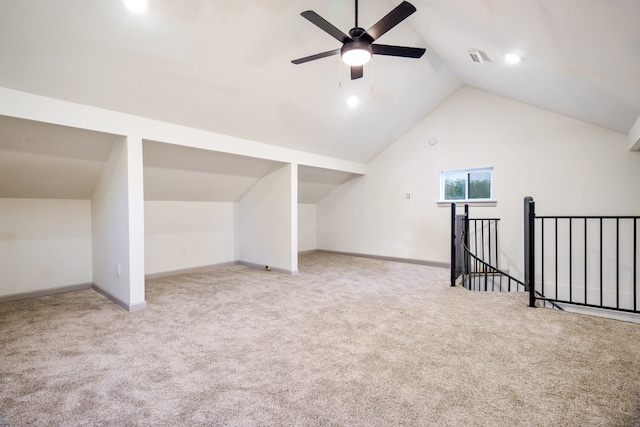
(568,166)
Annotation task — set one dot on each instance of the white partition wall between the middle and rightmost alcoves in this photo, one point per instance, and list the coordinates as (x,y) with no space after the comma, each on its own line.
(267,221)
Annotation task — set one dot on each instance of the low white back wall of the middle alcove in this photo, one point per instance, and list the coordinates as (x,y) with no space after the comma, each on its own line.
(183,235)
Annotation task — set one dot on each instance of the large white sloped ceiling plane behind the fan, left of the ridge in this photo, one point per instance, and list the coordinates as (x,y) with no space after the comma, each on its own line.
(222,66)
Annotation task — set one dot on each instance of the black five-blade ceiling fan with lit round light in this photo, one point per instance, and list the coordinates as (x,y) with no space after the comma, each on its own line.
(358,46)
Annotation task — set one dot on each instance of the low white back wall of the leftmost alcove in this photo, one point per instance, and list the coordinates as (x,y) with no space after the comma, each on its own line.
(44,244)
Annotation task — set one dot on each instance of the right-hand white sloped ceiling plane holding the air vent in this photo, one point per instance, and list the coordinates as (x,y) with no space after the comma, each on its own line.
(580,58)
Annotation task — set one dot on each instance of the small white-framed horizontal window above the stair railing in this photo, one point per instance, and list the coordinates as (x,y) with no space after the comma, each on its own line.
(466,185)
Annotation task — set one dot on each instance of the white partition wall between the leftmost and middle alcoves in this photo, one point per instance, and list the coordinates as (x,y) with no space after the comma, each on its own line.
(118,225)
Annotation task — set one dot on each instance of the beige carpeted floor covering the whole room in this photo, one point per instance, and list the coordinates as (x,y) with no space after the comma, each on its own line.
(348,341)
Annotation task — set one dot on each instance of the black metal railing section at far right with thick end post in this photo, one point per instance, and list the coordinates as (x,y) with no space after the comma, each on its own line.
(589,261)
